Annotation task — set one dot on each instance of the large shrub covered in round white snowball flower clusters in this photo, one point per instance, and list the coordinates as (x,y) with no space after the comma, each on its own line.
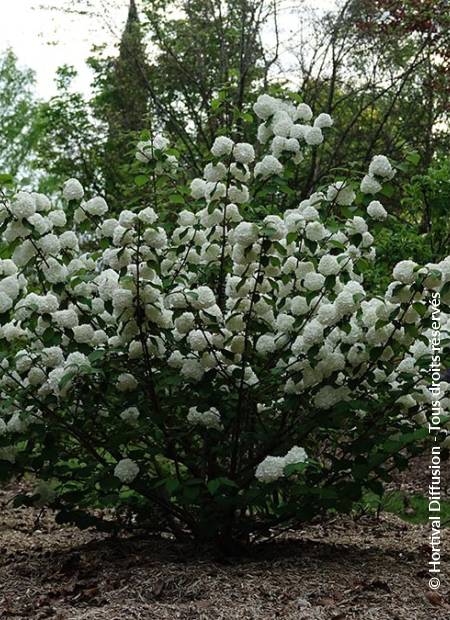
(222,377)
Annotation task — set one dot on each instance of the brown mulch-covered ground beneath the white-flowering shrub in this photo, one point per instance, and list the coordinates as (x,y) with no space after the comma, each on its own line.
(342,570)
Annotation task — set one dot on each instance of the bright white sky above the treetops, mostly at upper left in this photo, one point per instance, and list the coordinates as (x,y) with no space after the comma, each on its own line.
(44,39)
